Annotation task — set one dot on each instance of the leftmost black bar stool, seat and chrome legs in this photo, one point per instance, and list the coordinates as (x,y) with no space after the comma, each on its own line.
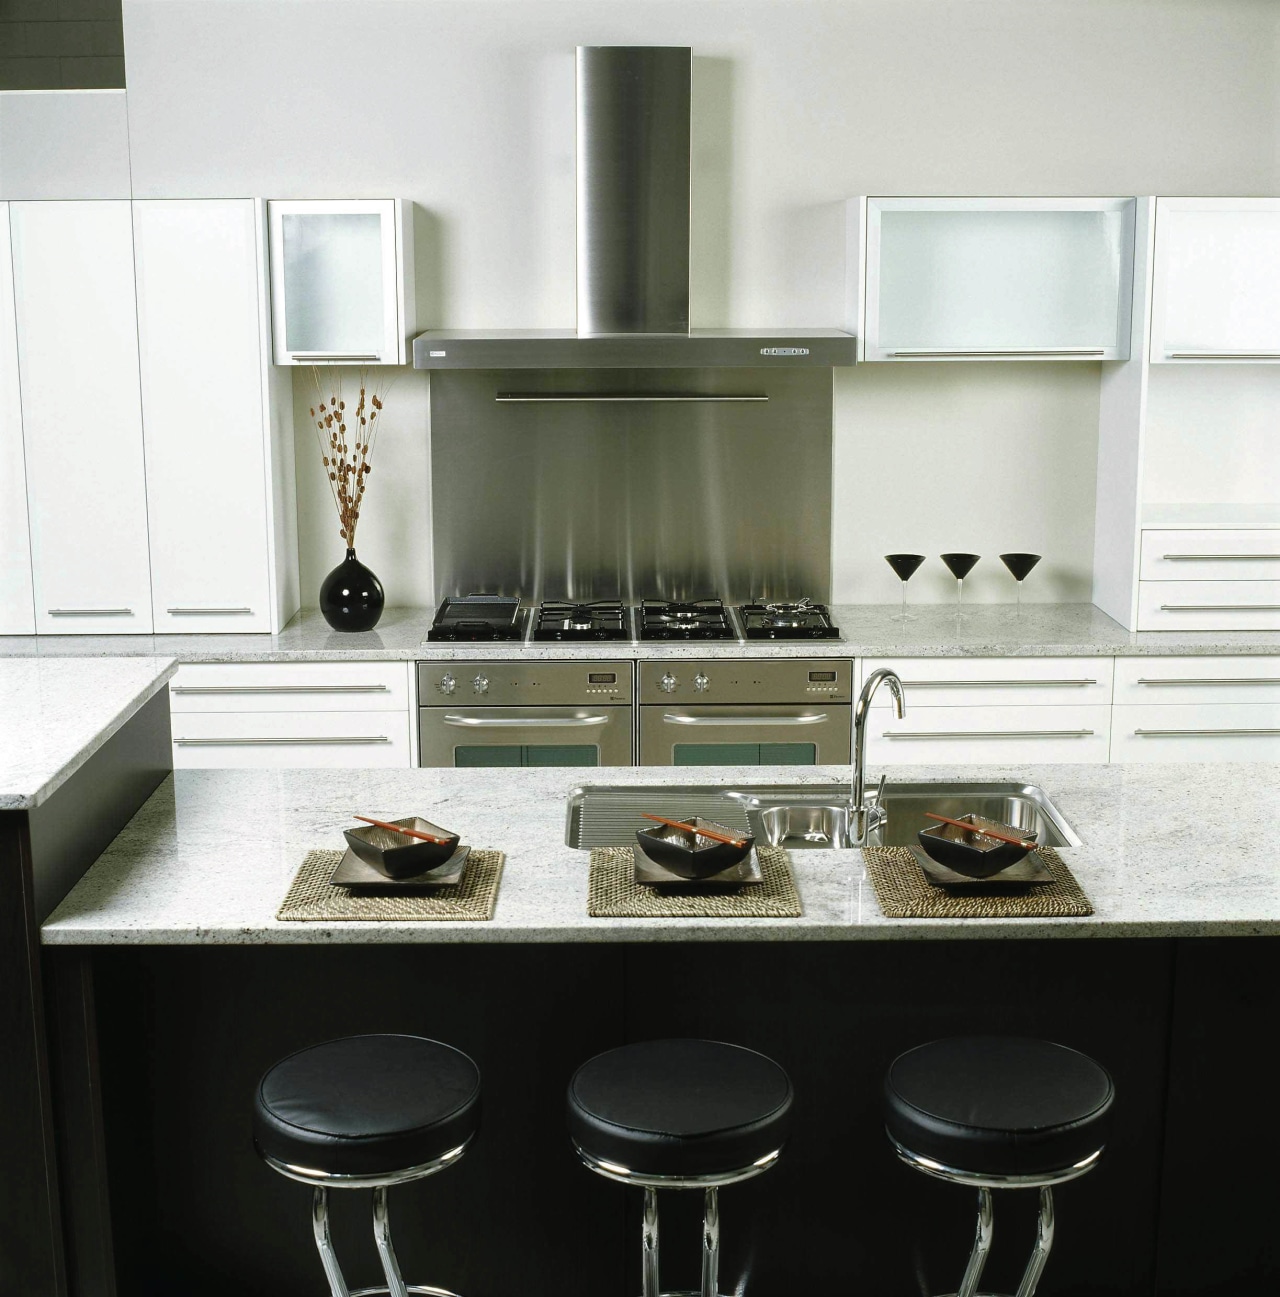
(366,1113)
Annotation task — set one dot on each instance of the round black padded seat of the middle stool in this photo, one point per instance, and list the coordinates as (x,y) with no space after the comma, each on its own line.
(680,1108)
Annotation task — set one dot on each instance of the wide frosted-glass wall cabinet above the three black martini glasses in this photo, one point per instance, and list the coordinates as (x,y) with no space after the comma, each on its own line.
(999,280)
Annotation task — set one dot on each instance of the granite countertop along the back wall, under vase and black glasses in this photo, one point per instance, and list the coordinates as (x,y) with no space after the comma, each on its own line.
(870,631)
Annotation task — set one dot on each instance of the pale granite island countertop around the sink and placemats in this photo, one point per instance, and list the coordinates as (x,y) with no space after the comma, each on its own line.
(1168,851)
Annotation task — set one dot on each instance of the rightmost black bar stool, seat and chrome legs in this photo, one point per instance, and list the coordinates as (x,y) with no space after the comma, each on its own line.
(999,1113)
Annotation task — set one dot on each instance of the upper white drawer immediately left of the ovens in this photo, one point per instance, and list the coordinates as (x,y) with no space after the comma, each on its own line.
(303,687)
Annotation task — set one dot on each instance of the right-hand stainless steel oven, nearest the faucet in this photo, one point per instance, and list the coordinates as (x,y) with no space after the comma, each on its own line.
(763,713)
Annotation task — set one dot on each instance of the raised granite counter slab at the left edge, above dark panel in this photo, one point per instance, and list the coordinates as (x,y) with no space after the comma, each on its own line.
(56,713)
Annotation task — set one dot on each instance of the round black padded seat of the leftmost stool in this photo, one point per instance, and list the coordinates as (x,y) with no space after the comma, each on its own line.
(368,1106)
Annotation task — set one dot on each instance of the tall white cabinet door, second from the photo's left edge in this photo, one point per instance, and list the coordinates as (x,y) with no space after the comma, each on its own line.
(82,418)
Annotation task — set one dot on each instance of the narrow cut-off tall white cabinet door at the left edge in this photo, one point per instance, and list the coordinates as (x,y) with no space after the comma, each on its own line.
(18,606)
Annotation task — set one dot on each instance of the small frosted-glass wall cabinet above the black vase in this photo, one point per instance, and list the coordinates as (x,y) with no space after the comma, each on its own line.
(342,282)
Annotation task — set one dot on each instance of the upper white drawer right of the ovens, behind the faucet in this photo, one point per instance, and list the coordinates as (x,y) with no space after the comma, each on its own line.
(997,682)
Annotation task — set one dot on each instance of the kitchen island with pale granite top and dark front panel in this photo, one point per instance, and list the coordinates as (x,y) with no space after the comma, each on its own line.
(199,989)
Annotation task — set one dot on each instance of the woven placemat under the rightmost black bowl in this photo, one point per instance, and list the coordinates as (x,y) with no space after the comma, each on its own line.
(906,892)
